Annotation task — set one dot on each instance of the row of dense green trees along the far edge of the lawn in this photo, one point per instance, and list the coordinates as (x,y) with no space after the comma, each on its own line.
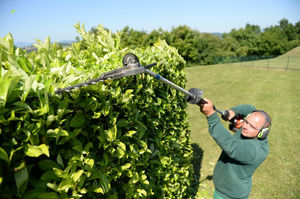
(206,48)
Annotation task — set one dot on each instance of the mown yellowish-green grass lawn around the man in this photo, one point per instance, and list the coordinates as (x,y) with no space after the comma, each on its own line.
(275,91)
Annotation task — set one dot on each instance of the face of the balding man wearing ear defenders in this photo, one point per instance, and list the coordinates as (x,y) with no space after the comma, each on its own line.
(252,125)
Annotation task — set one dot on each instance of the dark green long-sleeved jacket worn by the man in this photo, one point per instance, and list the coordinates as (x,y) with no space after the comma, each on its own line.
(240,157)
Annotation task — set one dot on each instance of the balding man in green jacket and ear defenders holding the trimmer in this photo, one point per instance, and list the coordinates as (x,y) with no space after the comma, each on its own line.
(241,153)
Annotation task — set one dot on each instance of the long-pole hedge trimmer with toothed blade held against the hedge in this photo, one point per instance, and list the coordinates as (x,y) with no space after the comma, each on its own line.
(131,66)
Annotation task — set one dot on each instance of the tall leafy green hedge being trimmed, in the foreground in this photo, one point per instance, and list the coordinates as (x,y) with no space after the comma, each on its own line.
(126,138)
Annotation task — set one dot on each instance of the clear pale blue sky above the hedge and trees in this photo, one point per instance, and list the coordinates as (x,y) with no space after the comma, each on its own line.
(37,19)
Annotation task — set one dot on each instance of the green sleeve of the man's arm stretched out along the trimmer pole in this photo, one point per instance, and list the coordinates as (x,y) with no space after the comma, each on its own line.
(241,150)
